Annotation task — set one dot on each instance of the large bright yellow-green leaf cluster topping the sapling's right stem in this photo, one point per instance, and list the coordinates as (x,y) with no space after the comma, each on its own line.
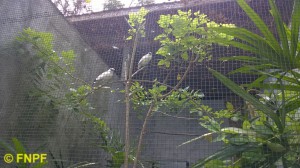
(185,38)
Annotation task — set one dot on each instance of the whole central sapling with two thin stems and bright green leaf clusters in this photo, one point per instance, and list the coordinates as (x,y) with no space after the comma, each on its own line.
(179,48)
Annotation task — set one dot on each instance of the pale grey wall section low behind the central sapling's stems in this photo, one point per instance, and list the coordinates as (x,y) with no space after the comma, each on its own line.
(166,133)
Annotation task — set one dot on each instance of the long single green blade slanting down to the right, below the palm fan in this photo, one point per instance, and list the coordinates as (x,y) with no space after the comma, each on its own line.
(242,93)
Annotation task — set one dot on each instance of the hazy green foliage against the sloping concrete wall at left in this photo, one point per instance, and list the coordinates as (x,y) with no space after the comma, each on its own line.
(50,73)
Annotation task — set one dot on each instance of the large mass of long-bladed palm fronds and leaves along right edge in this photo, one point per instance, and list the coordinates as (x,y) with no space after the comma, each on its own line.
(271,135)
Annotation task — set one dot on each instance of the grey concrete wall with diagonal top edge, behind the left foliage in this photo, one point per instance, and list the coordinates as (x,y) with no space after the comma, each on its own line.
(66,133)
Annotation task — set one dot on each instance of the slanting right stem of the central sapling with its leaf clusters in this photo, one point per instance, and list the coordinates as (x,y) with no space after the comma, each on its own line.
(183,41)
